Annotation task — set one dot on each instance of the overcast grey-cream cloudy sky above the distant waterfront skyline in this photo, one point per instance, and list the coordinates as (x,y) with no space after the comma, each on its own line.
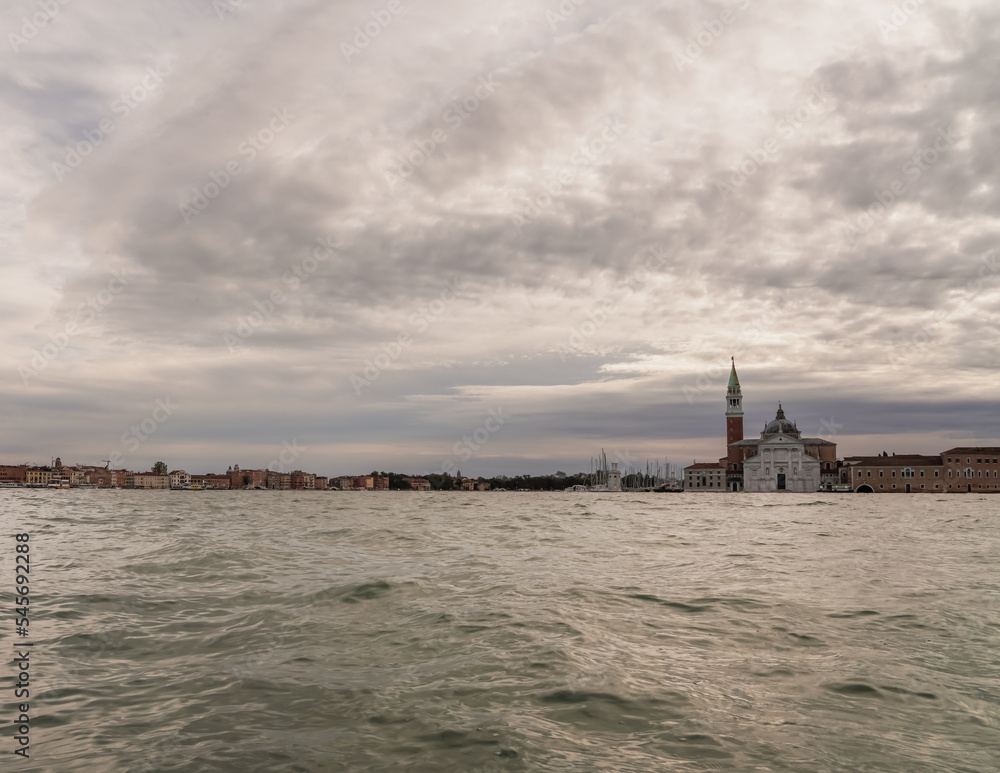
(359,227)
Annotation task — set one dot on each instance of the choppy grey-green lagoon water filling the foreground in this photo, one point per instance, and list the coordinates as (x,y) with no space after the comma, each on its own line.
(251,631)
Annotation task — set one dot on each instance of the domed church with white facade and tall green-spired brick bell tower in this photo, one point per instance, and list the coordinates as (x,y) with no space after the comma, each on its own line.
(780,459)
